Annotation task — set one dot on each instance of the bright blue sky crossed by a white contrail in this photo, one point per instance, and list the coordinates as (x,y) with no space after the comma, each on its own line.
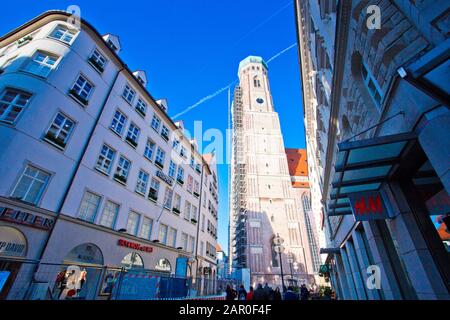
(190,49)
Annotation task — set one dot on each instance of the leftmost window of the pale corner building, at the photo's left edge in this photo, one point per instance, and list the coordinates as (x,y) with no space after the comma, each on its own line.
(12,102)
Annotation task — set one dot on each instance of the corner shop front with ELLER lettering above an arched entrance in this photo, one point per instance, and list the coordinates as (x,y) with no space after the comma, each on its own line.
(23,233)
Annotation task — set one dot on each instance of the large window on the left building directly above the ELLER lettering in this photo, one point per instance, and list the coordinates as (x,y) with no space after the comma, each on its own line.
(31,185)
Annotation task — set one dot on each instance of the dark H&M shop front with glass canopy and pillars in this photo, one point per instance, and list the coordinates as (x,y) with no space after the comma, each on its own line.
(401,220)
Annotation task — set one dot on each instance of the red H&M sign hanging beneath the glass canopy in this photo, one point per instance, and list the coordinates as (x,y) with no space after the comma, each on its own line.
(368,206)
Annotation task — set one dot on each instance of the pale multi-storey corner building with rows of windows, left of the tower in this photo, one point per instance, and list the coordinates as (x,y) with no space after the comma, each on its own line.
(88,150)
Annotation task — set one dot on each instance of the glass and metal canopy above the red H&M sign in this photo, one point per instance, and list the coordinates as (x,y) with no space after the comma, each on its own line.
(363,166)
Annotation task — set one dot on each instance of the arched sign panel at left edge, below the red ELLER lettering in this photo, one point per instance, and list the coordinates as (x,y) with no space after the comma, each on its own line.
(12,242)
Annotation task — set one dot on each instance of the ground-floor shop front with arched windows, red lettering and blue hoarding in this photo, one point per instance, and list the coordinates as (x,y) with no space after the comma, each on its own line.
(89,262)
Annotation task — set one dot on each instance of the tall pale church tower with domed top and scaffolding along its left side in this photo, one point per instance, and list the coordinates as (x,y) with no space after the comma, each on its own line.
(263,203)
